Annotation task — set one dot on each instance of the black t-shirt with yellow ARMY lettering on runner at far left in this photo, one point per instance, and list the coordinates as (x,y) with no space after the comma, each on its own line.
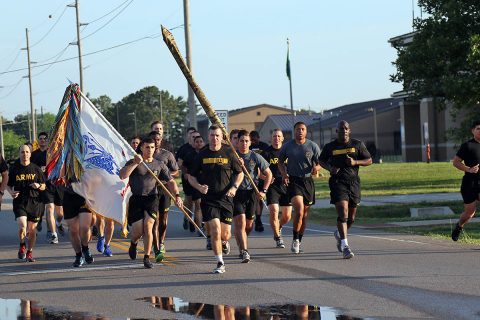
(20,178)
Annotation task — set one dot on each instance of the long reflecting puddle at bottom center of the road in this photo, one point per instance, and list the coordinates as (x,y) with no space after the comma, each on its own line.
(224,312)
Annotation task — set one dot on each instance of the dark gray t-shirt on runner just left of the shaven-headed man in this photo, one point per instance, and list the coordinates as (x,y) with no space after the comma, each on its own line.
(301,157)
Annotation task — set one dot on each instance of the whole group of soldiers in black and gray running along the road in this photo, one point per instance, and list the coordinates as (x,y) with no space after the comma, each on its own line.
(221,185)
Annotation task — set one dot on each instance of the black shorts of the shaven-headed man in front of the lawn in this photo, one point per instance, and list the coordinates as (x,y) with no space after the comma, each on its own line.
(345,190)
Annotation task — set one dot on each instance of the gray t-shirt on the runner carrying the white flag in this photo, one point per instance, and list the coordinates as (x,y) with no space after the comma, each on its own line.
(142,183)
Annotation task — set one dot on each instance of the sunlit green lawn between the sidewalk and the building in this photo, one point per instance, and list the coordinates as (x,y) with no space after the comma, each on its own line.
(401,178)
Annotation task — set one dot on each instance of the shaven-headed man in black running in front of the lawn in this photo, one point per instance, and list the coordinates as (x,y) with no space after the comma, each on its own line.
(343,157)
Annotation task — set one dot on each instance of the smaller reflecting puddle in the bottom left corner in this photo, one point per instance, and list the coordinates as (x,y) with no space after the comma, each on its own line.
(15,309)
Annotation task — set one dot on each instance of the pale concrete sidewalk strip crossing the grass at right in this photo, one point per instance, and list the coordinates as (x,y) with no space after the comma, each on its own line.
(398,199)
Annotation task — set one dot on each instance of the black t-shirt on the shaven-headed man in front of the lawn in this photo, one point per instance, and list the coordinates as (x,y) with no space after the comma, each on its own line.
(335,153)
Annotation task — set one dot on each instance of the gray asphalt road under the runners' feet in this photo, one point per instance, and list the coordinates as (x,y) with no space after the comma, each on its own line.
(391,277)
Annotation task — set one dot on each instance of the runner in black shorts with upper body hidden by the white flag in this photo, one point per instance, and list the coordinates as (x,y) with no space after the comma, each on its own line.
(79,219)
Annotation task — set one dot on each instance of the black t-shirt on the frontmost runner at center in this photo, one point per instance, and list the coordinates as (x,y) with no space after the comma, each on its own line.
(216,169)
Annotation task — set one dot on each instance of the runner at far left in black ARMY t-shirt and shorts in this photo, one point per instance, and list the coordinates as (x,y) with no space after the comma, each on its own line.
(25,183)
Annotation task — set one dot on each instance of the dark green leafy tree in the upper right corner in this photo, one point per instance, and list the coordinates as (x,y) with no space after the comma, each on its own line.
(443,60)
